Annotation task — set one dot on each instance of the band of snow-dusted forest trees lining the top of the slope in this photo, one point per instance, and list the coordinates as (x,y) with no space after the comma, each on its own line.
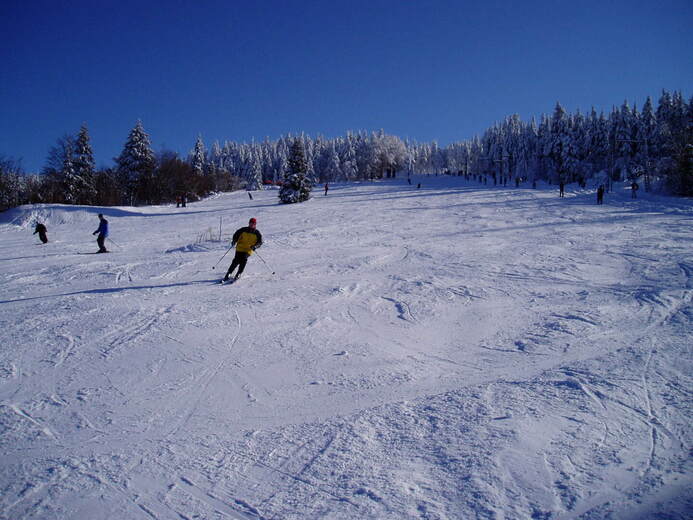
(655,144)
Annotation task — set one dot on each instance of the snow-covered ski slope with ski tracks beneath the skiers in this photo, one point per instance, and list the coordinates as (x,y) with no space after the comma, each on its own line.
(451,352)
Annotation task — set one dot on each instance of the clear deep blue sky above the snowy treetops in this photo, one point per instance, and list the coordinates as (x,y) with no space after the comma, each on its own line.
(238,70)
